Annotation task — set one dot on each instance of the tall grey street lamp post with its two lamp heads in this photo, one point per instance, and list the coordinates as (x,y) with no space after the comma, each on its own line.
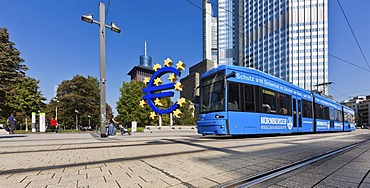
(89,18)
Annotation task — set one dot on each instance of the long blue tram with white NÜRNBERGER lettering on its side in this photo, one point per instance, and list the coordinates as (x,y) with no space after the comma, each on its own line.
(242,101)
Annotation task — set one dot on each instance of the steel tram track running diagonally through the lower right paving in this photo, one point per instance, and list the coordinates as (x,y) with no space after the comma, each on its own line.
(260,178)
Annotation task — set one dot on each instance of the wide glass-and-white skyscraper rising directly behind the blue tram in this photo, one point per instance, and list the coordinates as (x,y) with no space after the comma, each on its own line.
(284,38)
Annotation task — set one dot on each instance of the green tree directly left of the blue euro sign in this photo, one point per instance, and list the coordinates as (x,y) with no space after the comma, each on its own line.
(128,104)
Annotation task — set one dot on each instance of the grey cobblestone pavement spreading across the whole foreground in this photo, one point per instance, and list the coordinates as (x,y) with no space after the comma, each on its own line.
(169,159)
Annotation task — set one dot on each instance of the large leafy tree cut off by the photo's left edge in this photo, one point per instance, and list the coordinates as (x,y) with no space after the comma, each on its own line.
(18,92)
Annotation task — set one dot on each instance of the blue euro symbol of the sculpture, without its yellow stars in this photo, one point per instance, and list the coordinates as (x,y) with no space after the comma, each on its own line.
(153,91)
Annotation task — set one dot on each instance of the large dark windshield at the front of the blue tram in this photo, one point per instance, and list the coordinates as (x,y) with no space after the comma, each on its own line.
(212,94)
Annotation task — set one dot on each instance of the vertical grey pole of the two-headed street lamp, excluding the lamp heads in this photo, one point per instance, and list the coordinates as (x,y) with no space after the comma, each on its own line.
(103,129)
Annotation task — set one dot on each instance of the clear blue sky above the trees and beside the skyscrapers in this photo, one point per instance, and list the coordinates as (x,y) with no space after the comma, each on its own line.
(57,45)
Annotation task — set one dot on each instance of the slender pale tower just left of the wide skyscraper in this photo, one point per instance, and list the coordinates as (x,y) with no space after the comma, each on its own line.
(209,32)
